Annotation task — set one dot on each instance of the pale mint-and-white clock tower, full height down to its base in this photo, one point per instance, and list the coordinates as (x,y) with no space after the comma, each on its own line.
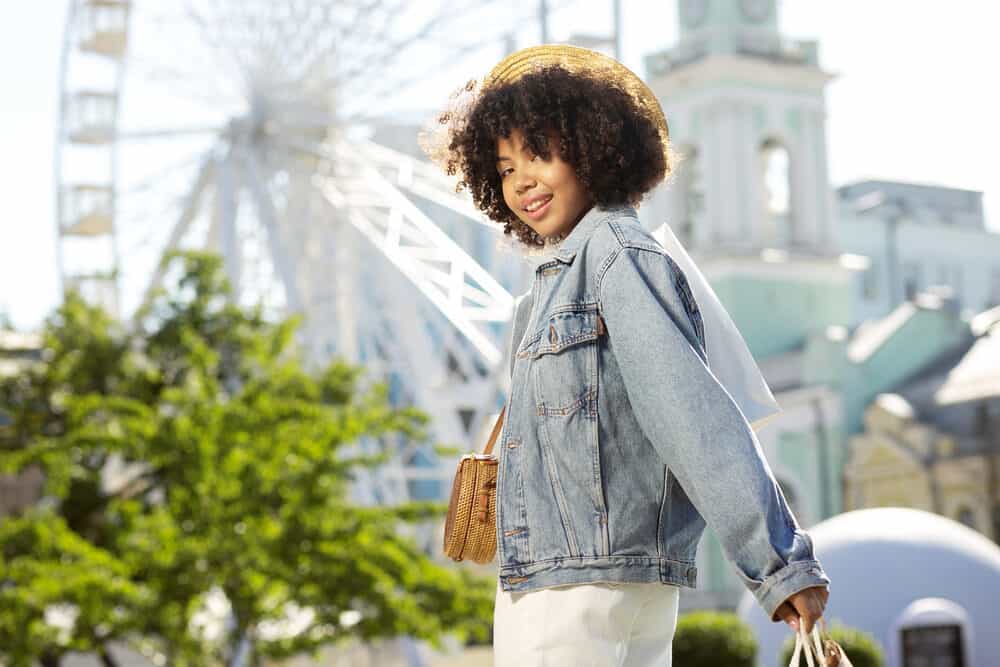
(750,200)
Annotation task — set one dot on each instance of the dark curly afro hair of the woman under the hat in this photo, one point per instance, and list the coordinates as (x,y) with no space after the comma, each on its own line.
(616,150)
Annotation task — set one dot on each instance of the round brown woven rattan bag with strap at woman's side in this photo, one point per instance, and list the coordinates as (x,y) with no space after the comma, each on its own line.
(470,529)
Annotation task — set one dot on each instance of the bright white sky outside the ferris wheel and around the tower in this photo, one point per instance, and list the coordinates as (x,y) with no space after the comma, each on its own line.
(912,101)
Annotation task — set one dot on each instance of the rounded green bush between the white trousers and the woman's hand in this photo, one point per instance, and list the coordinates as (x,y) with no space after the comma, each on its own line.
(710,639)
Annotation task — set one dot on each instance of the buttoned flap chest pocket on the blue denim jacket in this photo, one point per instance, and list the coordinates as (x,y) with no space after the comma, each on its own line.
(563,354)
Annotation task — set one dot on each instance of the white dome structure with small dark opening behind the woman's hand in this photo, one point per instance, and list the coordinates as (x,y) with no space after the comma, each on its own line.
(905,576)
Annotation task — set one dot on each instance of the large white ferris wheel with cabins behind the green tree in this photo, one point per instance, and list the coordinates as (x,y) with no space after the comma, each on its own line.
(259,129)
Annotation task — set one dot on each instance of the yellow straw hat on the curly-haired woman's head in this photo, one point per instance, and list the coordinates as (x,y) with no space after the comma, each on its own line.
(579,60)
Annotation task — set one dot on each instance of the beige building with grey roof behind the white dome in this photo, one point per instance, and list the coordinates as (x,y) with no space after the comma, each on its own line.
(933,441)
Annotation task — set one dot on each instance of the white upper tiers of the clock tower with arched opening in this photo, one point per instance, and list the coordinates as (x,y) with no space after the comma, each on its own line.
(746,110)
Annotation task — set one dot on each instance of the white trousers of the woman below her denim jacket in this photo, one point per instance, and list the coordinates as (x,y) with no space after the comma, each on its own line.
(586,625)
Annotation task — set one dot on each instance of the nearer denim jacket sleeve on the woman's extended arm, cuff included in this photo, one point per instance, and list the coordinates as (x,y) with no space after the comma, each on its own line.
(655,334)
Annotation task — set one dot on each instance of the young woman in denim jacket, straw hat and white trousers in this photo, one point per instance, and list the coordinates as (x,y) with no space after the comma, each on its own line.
(628,424)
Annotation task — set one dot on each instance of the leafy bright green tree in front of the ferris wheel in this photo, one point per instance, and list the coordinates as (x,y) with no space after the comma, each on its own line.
(233,464)
